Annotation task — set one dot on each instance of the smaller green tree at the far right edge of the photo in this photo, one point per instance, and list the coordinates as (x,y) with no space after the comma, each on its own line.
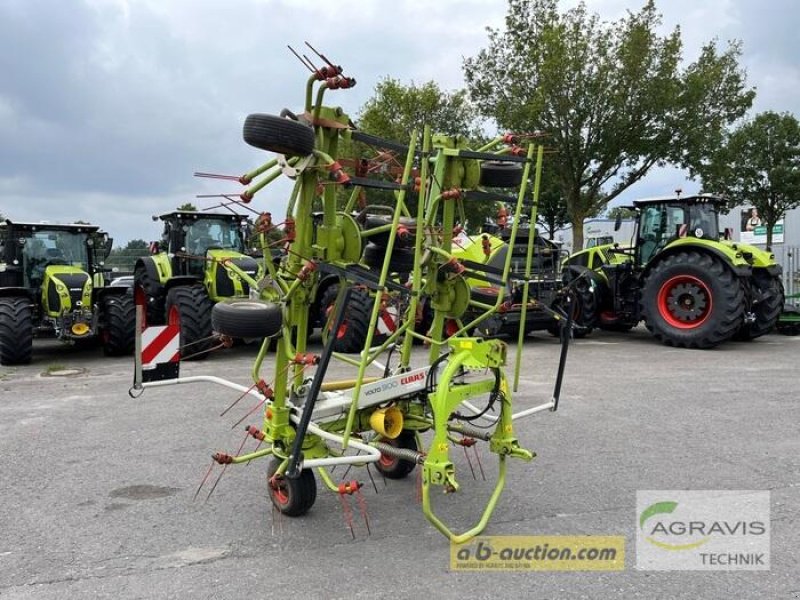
(759,165)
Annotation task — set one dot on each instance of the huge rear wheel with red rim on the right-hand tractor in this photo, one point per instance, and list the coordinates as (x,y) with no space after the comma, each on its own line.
(692,300)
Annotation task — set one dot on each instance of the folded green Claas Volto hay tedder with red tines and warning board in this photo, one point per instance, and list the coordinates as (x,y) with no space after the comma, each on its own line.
(408,415)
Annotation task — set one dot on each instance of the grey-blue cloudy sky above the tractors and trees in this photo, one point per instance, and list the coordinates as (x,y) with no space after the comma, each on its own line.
(108,107)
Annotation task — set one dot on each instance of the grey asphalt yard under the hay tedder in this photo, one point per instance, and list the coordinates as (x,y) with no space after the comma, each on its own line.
(96,488)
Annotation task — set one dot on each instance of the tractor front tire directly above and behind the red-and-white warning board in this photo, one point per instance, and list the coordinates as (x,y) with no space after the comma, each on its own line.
(190,307)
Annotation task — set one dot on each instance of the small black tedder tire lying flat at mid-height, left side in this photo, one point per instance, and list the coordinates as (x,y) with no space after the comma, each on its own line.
(247,318)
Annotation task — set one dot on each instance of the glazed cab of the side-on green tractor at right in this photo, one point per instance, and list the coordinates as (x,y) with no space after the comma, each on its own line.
(664,220)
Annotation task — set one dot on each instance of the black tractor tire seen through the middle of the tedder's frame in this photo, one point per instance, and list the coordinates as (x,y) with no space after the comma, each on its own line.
(352,335)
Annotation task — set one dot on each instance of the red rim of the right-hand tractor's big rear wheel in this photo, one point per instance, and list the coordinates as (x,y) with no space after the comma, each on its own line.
(684,302)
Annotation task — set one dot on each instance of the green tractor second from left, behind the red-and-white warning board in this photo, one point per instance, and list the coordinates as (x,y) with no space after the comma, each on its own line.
(200,260)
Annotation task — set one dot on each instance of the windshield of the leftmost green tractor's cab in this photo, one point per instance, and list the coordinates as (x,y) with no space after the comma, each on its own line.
(46,248)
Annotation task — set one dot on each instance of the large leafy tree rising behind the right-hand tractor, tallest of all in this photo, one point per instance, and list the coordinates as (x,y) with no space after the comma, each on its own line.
(612,96)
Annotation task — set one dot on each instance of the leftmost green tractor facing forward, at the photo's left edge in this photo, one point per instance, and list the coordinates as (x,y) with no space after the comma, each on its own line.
(53,282)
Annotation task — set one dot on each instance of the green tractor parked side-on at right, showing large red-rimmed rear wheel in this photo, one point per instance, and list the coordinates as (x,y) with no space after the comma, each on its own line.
(691,288)
